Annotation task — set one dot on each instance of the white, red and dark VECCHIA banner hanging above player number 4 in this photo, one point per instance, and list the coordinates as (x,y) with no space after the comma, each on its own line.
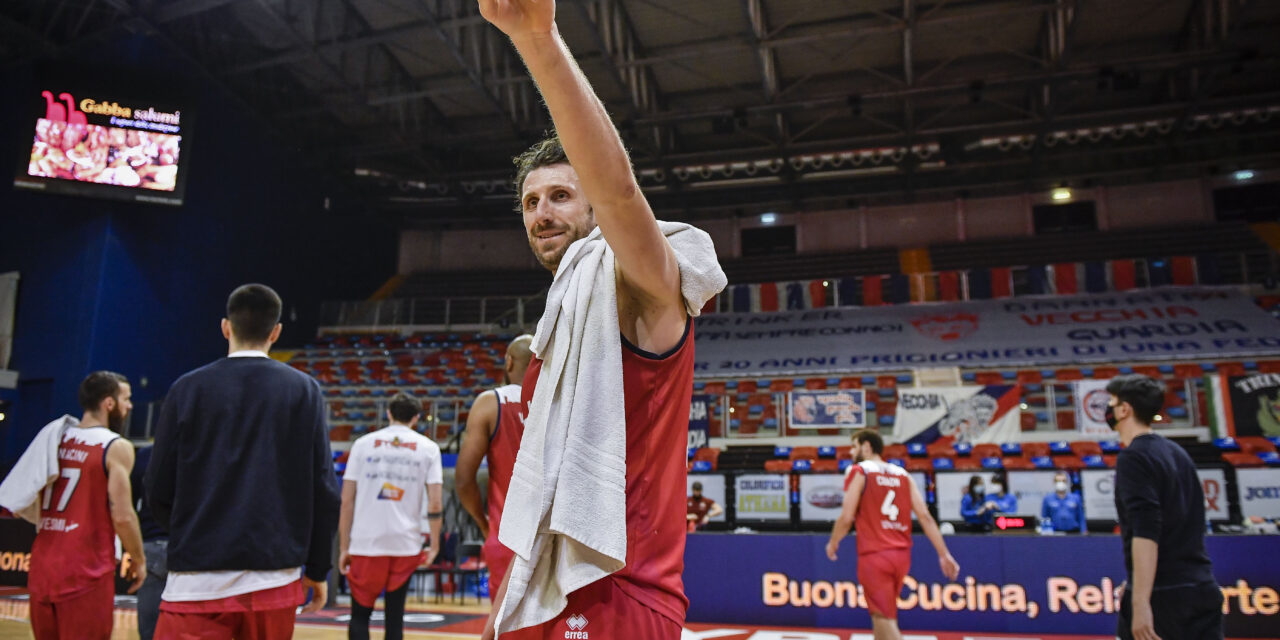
(968,414)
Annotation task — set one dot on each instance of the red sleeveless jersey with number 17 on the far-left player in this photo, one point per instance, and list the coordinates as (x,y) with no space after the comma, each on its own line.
(76,543)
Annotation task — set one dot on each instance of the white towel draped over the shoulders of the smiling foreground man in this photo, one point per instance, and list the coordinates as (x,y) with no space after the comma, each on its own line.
(565,514)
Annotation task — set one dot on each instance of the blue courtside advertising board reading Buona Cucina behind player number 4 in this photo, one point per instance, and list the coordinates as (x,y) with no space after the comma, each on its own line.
(1071,588)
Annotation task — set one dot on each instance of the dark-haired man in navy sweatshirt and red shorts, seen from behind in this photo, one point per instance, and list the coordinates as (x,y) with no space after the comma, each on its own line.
(243,479)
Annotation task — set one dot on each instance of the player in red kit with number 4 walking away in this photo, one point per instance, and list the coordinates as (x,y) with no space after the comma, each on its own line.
(881,499)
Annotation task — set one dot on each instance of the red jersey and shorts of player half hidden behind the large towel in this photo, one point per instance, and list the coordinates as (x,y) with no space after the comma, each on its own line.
(504,446)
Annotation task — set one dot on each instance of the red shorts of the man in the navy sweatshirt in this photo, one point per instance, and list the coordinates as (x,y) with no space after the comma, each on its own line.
(267,615)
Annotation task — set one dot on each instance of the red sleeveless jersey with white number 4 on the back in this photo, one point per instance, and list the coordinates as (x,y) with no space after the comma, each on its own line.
(885,511)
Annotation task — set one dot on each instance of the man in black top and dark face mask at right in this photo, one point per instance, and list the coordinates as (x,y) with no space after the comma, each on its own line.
(1172,592)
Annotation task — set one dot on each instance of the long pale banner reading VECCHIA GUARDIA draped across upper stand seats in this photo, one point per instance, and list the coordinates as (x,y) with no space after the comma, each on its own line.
(1155,324)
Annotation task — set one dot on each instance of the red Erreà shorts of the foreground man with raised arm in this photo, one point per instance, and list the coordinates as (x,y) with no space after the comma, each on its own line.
(606,612)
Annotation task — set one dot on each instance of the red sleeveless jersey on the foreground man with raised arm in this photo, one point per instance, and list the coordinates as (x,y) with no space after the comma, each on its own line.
(657,391)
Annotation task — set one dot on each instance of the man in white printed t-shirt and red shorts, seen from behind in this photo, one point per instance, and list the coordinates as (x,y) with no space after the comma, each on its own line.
(390,474)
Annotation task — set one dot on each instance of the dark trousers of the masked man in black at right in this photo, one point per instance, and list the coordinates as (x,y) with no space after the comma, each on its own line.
(1185,612)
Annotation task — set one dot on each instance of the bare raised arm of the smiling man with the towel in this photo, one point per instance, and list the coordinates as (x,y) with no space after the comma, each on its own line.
(646,260)
